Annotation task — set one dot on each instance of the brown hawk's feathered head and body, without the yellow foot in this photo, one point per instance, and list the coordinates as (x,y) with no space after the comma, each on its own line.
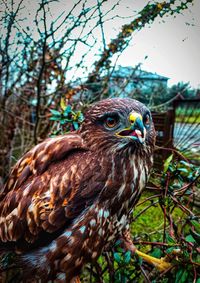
(72,195)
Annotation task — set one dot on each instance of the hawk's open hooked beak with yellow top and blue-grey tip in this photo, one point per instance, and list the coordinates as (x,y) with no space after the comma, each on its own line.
(136,131)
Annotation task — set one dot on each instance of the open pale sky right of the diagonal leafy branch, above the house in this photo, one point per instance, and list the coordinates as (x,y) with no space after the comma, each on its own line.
(172,47)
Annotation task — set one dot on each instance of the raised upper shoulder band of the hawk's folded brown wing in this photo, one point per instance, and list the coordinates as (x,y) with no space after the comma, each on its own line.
(37,160)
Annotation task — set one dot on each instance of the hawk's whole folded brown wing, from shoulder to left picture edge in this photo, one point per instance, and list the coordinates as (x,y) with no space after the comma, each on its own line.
(41,194)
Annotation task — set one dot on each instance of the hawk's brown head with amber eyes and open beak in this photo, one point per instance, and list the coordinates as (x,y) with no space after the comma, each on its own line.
(117,123)
